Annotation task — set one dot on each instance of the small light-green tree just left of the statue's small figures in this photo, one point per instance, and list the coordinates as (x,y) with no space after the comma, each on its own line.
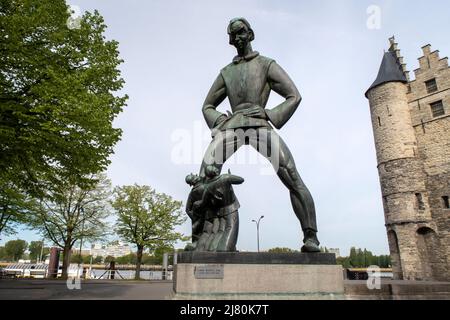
(146,218)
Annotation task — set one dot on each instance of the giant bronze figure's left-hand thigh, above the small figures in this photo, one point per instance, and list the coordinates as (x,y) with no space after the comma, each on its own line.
(221,148)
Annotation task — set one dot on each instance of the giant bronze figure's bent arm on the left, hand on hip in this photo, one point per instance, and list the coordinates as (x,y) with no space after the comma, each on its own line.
(216,95)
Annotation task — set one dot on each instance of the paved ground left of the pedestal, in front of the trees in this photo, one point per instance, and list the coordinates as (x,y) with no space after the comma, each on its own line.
(22,289)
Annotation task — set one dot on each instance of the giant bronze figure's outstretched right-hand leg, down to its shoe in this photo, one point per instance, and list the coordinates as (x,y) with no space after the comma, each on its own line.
(270,145)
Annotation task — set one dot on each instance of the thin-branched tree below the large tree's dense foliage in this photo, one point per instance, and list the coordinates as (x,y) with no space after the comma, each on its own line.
(74,213)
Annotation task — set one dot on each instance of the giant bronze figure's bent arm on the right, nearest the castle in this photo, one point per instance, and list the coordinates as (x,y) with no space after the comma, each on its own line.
(282,84)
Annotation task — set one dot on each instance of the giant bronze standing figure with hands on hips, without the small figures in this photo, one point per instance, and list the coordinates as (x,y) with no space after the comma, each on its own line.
(247,83)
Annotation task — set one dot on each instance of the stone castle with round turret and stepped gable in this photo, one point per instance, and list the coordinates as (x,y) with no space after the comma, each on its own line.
(411,124)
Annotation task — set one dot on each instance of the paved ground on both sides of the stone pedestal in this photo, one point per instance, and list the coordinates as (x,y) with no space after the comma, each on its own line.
(24,289)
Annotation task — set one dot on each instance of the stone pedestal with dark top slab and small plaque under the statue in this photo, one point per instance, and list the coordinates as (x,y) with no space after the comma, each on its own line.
(249,276)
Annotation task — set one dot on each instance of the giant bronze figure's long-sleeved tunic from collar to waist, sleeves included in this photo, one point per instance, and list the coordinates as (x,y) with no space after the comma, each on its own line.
(247,83)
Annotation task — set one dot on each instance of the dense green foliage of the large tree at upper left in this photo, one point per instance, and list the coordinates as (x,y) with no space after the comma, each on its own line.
(57,94)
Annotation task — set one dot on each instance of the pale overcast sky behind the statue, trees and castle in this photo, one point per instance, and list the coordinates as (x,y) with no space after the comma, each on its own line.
(173,50)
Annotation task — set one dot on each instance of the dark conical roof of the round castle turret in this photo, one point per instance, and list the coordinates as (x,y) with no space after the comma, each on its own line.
(391,70)
